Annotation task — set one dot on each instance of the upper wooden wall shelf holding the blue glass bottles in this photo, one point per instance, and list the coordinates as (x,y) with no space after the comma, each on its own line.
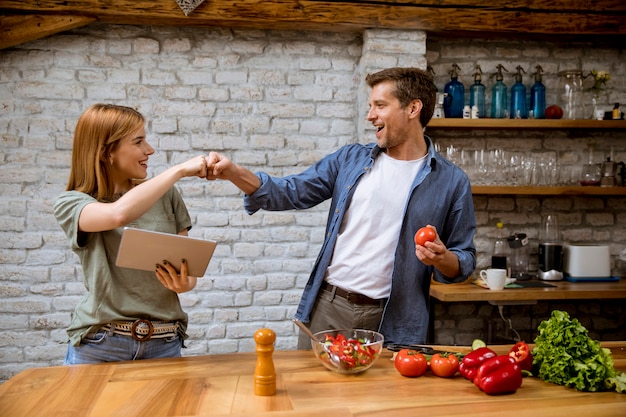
(525,124)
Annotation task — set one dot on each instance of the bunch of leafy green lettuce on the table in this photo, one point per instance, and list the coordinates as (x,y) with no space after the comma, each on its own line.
(565,354)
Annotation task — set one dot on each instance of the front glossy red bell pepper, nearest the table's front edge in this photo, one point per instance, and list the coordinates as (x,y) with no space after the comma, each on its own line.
(499,375)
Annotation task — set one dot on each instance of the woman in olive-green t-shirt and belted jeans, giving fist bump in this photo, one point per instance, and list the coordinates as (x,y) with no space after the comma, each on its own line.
(126,314)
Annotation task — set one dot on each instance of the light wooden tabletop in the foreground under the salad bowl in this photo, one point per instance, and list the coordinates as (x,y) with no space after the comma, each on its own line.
(223,385)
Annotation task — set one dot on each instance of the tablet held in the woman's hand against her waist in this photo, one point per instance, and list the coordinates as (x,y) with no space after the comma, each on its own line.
(143,249)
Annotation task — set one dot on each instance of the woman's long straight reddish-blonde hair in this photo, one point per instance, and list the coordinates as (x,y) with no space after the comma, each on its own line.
(98,131)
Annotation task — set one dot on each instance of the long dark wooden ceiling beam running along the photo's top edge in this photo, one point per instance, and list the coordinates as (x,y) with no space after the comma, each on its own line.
(508,17)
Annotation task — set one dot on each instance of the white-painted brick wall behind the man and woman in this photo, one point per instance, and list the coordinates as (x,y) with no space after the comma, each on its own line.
(271,100)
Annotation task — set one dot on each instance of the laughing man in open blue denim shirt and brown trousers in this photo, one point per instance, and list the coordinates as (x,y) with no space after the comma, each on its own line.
(369,273)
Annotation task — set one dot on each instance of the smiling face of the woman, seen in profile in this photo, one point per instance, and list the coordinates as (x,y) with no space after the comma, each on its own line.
(129,159)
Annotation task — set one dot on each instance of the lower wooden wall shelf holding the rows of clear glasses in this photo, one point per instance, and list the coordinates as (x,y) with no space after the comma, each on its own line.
(547,190)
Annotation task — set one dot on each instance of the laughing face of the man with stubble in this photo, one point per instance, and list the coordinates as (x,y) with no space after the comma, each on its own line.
(395,125)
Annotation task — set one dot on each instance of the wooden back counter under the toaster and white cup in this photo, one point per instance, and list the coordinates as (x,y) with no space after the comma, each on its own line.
(562,290)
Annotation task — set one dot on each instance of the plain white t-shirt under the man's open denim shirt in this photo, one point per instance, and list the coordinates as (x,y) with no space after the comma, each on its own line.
(365,250)
